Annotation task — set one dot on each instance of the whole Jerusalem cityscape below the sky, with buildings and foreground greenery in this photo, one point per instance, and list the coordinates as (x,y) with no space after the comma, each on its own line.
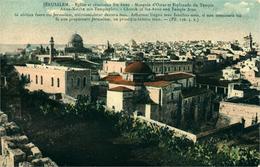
(136,103)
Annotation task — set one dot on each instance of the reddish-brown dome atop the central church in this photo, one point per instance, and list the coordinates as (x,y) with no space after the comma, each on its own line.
(138,67)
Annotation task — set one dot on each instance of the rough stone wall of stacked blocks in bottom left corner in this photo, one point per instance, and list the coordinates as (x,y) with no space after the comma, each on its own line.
(16,150)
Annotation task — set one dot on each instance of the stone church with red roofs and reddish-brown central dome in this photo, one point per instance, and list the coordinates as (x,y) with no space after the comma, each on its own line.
(157,97)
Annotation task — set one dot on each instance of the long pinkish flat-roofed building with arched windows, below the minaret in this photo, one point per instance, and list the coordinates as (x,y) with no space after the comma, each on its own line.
(56,79)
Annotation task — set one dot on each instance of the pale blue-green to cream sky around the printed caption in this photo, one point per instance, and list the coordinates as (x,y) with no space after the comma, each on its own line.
(22,30)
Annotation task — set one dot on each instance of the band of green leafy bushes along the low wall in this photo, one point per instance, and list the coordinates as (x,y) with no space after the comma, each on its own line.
(147,135)
